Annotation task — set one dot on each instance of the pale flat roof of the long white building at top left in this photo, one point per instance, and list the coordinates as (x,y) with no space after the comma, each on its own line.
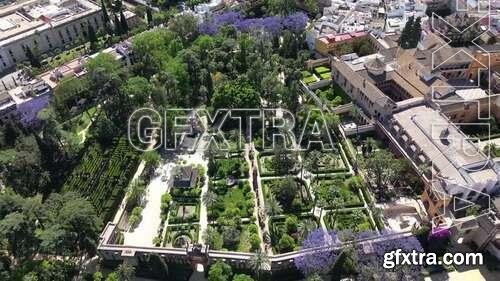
(26,18)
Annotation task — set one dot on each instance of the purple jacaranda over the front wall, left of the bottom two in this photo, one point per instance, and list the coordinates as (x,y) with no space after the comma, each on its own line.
(319,252)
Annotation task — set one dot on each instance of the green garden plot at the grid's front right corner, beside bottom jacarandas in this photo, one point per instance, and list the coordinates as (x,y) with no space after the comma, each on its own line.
(355,220)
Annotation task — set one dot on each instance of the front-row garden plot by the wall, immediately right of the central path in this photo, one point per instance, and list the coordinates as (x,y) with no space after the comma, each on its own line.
(287,233)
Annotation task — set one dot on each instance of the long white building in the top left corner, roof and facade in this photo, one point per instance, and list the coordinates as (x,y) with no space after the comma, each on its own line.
(43,25)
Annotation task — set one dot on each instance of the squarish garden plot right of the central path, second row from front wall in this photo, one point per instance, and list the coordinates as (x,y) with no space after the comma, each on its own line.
(290,193)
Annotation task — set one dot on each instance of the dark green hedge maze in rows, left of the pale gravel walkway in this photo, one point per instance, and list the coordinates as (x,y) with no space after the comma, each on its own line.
(103,175)
